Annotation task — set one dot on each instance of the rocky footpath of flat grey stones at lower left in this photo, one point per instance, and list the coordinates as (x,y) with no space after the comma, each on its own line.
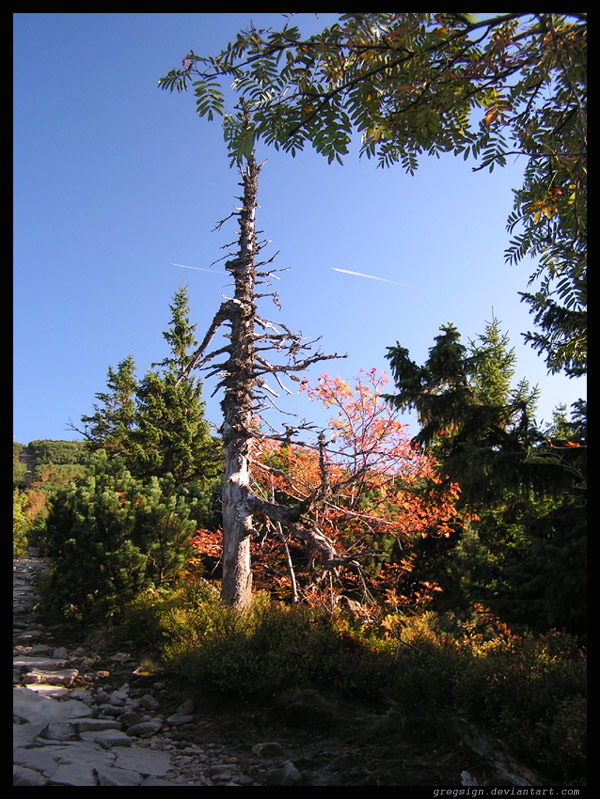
(84,718)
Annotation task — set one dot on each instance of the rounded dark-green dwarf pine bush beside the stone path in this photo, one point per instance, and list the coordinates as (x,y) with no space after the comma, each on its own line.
(111,537)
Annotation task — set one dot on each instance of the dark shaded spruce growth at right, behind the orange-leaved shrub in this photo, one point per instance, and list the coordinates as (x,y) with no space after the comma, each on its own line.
(523,553)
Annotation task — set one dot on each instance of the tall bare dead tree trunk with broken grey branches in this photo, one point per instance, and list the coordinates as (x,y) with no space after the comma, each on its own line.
(244,379)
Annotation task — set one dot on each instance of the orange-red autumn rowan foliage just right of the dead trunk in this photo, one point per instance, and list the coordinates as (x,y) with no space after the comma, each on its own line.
(373,502)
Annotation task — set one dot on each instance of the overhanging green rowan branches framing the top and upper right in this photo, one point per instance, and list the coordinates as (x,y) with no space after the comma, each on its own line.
(411,84)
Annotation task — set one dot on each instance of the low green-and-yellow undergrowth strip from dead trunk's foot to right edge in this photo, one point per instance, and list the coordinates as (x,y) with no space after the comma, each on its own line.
(528,690)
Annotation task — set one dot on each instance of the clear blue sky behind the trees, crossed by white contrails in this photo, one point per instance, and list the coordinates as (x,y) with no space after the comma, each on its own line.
(115,180)
